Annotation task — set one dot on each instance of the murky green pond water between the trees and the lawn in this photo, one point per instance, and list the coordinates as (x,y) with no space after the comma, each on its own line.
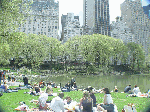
(142,81)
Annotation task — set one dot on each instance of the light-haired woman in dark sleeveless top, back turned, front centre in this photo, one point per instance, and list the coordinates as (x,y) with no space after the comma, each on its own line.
(86,103)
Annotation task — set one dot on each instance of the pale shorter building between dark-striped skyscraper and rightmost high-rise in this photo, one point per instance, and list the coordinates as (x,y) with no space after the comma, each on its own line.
(121,31)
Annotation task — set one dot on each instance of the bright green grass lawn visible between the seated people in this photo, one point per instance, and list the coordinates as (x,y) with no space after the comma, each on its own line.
(9,101)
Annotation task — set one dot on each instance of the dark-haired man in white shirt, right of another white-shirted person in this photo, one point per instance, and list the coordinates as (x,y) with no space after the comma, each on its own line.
(57,103)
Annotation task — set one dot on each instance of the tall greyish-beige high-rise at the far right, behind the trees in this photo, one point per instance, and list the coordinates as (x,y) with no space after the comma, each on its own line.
(133,15)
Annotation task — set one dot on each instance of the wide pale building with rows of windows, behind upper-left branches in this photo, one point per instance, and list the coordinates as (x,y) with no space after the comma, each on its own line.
(43,19)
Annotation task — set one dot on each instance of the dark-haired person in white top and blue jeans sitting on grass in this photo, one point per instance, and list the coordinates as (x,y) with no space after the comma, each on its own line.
(108,102)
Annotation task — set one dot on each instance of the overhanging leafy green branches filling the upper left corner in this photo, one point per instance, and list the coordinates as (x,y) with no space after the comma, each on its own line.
(12,12)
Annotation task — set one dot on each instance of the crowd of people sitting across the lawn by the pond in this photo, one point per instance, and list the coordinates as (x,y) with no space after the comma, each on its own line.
(86,104)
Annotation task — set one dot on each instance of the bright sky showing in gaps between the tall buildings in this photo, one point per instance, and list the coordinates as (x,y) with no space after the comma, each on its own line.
(76,7)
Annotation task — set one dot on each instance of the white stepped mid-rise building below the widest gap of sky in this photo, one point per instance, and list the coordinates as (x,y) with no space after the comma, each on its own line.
(70,27)
